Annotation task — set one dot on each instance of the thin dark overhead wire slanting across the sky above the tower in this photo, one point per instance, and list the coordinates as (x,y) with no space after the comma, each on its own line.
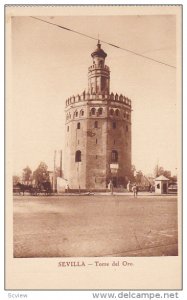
(110,44)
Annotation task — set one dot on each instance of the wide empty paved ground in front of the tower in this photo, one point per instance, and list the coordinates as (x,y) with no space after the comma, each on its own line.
(95,225)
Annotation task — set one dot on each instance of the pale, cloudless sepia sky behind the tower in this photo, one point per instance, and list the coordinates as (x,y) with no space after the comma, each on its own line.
(50,64)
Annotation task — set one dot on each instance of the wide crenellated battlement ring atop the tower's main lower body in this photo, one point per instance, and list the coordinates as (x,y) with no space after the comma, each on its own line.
(87,97)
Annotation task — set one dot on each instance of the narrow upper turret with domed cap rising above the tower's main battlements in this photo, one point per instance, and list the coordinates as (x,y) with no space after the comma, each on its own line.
(99,73)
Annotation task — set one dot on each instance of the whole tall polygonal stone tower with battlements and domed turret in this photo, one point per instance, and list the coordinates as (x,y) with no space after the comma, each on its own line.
(98,132)
